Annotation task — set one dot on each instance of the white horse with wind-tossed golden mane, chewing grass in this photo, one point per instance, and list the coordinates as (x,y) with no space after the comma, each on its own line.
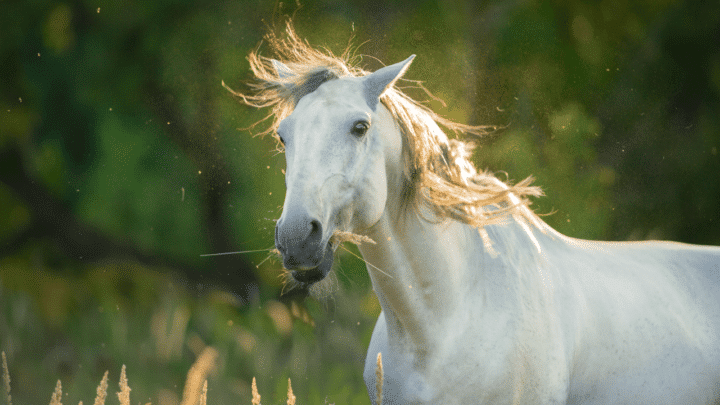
(482,302)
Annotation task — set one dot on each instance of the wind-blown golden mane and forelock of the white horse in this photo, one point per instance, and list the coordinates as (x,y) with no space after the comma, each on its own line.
(438,173)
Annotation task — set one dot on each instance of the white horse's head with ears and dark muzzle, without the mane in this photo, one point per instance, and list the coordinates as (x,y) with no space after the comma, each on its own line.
(341,148)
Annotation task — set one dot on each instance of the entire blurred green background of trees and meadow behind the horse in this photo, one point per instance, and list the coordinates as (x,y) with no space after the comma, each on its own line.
(123,159)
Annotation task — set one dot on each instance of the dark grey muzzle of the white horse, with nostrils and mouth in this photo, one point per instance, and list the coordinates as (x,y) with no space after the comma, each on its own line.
(299,239)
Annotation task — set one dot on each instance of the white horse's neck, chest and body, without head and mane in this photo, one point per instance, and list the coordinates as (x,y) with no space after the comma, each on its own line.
(544,318)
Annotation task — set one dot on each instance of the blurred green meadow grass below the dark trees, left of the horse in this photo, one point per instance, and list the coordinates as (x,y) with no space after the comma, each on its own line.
(59,326)
